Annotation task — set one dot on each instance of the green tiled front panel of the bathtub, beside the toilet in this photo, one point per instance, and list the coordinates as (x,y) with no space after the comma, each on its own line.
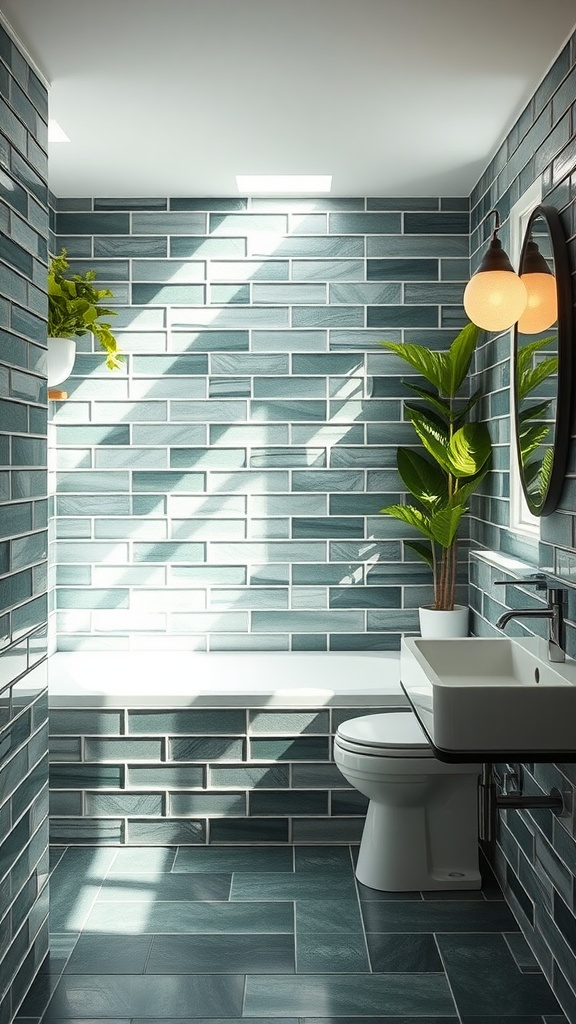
(210,776)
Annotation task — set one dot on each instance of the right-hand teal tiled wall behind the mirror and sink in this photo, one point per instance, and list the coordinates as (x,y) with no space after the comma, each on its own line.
(536,855)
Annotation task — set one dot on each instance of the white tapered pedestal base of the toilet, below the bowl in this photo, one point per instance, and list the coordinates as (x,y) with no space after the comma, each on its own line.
(406,849)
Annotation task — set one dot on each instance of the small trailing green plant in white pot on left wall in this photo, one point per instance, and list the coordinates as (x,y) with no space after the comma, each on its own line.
(75,309)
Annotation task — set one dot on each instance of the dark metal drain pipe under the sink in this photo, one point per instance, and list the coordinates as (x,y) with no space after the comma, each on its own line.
(491,800)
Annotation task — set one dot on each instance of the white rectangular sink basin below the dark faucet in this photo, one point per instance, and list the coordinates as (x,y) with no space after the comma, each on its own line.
(491,698)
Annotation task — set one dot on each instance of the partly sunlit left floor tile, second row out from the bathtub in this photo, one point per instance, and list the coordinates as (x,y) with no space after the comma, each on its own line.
(166,886)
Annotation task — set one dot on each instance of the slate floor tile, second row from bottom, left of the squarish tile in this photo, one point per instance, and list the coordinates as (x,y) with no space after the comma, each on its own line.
(222,955)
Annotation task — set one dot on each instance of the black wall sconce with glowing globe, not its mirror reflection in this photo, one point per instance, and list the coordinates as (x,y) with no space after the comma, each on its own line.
(496,297)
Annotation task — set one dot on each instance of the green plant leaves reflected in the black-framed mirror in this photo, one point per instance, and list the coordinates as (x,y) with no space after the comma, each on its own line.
(533,434)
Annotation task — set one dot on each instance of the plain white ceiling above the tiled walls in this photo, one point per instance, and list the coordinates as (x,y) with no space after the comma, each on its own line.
(393,98)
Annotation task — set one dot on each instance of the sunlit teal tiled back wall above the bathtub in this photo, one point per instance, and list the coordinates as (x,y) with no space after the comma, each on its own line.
(223,490)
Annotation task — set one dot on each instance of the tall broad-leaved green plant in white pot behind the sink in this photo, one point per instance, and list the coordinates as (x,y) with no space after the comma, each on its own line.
(457,457)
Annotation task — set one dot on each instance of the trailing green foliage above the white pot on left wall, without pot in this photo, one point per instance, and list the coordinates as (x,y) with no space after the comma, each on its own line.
(75,308)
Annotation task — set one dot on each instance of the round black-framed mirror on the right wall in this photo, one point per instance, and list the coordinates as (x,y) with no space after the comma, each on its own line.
(543,362)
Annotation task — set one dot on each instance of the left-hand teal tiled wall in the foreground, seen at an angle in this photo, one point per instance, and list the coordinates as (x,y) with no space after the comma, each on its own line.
(24,702)
